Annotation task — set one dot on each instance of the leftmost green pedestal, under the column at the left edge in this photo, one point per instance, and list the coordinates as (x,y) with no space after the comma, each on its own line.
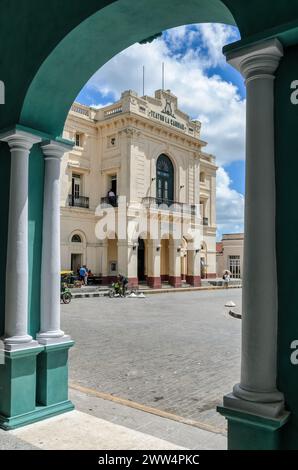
(18,382)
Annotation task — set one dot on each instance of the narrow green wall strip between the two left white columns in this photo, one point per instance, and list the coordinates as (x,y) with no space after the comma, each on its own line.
(36,179)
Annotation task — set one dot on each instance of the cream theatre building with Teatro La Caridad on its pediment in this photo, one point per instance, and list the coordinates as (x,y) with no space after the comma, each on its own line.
(149,153)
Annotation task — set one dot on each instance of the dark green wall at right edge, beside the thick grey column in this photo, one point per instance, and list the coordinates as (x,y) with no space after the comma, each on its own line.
(286,122)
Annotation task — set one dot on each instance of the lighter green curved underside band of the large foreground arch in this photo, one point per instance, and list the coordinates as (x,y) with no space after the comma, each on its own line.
(95,41)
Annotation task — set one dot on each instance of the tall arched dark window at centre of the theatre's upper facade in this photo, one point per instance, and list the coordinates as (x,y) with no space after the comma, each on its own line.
(164,179)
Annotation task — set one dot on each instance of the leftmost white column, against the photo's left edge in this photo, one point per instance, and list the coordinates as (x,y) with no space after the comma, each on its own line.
(17,269)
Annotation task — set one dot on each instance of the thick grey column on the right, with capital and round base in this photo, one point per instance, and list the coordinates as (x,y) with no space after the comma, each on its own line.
(257,390)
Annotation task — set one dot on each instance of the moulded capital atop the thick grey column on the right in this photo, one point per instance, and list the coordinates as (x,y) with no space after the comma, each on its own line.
(257,61)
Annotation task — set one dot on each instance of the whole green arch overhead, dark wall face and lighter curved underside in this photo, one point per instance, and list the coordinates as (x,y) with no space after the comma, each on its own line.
(48,50)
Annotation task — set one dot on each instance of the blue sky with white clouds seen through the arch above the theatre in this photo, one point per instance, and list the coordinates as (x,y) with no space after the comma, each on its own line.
(208,89)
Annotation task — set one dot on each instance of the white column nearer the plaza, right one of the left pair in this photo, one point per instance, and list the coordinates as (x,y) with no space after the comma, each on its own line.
(50,331)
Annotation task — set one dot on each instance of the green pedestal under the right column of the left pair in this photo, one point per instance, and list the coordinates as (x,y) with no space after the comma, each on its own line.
(52,374)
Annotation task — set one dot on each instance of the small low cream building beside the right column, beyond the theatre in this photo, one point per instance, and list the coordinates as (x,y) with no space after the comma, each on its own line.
(229,255)
